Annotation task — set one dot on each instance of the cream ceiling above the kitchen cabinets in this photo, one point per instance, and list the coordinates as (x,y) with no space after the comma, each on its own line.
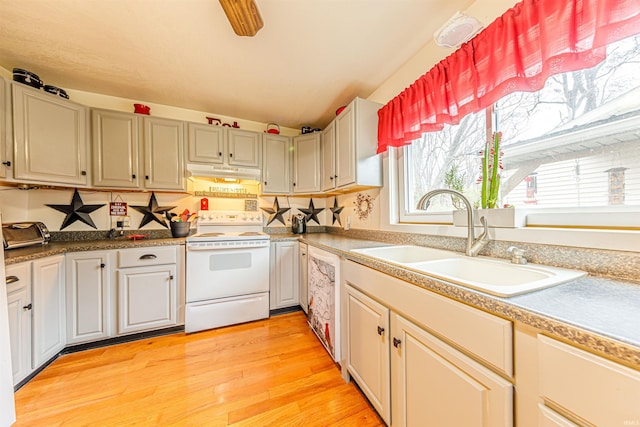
(311,56)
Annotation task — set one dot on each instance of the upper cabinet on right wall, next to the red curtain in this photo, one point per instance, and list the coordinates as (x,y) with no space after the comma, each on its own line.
(356,163)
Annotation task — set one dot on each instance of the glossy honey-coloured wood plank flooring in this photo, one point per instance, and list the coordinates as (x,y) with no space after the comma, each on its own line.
(266,373)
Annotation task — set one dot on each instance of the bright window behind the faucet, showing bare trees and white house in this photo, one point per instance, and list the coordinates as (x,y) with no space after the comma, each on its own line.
(573,144)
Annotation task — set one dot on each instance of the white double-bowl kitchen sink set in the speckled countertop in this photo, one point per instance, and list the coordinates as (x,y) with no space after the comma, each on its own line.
(496,277)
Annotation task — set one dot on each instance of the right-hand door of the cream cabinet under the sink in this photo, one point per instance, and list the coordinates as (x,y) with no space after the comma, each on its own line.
(433,384)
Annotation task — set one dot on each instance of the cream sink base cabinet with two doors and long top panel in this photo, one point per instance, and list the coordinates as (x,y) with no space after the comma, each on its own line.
(426,371)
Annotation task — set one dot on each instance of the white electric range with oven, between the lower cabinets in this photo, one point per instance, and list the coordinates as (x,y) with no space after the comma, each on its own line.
(227,270)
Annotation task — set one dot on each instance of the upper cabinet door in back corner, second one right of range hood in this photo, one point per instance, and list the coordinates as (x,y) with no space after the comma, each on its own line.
(306,163)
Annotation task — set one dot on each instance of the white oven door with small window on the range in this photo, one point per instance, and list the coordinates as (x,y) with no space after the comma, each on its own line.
(216,271)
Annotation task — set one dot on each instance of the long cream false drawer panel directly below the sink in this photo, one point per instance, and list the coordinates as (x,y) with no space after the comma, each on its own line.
(481,334)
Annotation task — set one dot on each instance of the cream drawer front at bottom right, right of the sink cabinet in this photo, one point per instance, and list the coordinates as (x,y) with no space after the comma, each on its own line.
(593,388)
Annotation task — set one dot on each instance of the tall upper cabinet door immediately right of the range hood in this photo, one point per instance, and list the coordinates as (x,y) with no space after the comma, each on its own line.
(276,164)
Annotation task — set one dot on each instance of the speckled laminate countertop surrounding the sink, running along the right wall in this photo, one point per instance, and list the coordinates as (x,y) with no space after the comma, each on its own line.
(597,313)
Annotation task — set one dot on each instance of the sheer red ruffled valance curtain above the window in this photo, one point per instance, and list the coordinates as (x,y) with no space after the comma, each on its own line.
(517,52)
